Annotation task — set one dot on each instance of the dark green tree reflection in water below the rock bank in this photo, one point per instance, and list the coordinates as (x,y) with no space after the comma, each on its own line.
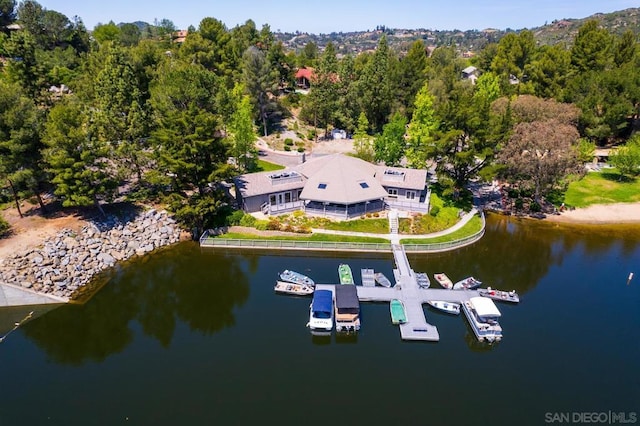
(177,284)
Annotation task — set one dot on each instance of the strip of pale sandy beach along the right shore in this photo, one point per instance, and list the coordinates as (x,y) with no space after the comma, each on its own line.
(600,214)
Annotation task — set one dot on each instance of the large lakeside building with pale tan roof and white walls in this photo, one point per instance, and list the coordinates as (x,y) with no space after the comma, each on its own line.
(334,185)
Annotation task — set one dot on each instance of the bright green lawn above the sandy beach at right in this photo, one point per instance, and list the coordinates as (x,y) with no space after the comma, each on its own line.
(602,188)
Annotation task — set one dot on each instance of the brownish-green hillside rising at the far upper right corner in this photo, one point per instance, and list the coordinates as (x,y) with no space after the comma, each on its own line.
(564,31)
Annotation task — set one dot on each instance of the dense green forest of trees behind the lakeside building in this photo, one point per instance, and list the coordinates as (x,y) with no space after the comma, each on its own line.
(133,111)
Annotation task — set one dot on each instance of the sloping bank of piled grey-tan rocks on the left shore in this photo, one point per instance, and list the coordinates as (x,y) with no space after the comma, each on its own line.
(68,261)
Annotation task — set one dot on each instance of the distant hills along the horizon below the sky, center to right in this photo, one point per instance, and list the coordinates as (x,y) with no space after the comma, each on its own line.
(559,31)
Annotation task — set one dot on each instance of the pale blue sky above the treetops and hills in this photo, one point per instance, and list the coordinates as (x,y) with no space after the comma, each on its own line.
(345,15)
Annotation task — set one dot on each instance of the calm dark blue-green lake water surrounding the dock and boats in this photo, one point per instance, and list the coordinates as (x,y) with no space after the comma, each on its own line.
(191,337)
